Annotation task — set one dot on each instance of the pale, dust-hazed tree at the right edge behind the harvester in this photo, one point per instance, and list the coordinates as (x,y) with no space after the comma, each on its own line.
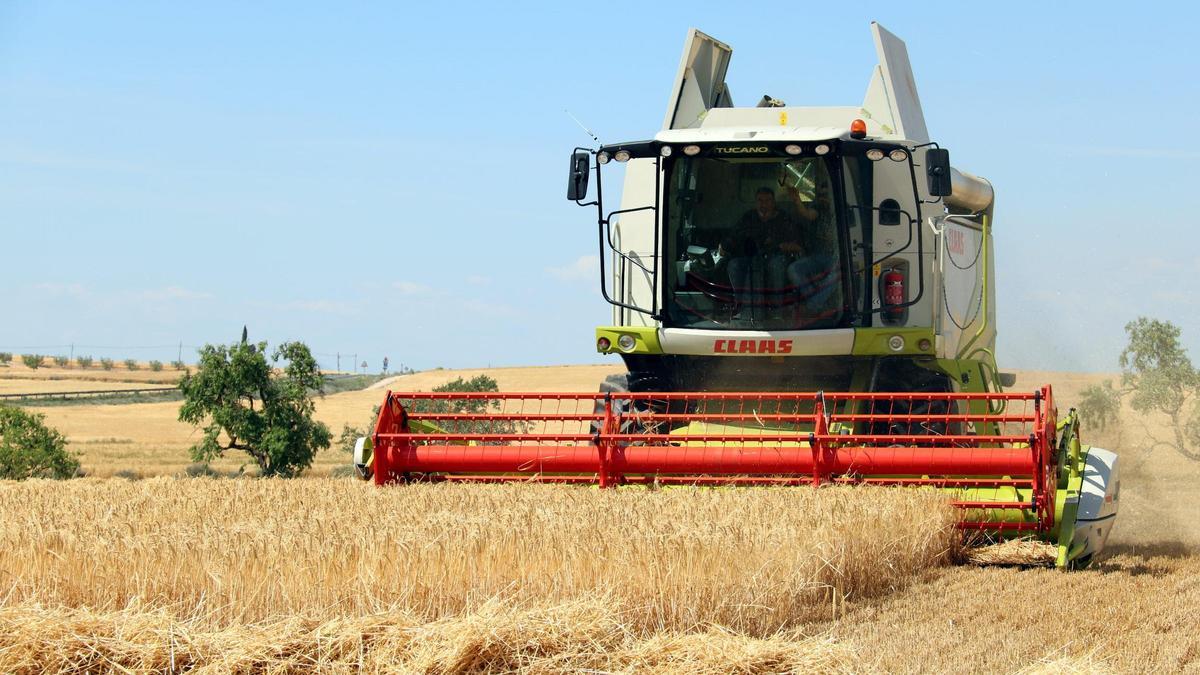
(1157,377)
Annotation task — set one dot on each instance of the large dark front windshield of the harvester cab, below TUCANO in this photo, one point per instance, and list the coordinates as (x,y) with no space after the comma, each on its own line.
(754,243)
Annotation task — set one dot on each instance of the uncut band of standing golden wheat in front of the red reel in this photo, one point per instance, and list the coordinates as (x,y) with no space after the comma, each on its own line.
(245,552)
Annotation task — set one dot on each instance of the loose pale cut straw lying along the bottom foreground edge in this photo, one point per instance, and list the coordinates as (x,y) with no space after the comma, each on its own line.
(574,637)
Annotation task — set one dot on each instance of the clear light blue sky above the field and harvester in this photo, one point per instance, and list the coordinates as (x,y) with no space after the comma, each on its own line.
(388,181)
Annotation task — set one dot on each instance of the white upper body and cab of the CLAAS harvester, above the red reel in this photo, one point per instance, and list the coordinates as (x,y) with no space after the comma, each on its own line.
(838,242)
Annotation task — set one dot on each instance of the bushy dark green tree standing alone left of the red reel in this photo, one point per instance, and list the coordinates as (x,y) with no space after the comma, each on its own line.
(245,404)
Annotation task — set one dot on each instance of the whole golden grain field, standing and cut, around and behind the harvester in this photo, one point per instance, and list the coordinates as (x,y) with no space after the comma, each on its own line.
(167,574)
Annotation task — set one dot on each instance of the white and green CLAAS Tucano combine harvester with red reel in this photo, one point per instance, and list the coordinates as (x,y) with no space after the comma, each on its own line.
(801,296)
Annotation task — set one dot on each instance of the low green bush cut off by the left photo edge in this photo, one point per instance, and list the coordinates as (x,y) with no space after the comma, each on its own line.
(31,450)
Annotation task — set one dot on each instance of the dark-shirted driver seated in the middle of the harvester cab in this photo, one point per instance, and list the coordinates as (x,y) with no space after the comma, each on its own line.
(766,234)
